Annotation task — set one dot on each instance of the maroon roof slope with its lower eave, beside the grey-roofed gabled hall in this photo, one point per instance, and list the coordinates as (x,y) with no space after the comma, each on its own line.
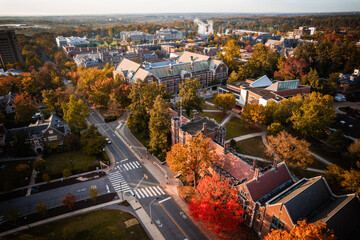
(268,183)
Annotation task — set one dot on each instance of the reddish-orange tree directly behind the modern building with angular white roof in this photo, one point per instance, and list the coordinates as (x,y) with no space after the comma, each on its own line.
(292,68)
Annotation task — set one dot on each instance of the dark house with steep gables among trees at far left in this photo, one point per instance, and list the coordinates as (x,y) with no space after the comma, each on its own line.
(40,134)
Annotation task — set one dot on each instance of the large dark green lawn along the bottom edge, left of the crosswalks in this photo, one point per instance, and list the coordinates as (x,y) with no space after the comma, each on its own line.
(101,224)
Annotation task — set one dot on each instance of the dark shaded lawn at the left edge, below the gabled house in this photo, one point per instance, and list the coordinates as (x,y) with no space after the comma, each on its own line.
(10,178)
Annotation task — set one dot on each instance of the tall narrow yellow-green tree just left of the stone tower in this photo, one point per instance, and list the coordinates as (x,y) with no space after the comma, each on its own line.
(159,127)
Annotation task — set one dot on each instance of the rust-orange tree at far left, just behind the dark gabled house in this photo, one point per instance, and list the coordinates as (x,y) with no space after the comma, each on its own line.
(25,107)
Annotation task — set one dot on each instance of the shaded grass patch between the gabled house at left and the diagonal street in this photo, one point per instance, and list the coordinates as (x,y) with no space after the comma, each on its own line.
(57,162)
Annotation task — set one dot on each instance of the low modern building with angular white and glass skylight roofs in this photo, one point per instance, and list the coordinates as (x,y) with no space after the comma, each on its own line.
(263,90)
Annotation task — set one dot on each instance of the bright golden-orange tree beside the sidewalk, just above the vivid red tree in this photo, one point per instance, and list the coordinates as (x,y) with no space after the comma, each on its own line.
(195,156)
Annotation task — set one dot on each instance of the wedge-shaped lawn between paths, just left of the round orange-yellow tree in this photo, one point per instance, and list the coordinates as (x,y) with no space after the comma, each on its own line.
(252,146)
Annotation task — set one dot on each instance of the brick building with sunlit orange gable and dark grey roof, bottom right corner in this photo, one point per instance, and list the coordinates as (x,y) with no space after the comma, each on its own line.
(312,200)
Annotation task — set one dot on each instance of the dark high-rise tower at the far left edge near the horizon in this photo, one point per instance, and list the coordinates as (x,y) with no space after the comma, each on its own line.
(9,48)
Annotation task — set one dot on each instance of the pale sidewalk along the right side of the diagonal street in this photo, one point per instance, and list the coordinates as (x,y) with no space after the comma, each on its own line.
(162,174)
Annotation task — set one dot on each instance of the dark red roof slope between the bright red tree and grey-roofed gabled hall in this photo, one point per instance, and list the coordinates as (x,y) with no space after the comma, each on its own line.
(268,181)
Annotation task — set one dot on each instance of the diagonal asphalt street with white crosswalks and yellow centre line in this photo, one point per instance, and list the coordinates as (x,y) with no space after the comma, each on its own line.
(128,173)
